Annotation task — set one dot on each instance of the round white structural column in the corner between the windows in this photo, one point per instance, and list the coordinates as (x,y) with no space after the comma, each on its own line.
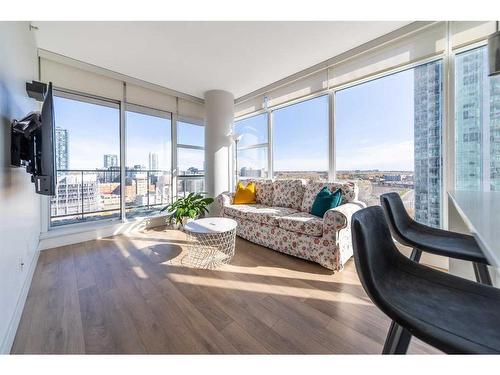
(219,117)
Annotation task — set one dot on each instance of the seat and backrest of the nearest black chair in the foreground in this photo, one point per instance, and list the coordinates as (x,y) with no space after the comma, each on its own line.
(453,314)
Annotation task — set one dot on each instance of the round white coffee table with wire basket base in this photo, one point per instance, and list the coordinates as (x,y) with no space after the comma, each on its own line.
(212,241)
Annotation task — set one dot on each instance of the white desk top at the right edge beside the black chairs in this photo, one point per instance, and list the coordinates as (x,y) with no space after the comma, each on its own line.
(480,212)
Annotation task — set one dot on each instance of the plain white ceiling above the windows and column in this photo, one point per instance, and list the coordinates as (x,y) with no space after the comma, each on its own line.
(193,57)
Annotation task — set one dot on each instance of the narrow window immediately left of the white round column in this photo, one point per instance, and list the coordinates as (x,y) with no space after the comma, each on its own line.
(190,158)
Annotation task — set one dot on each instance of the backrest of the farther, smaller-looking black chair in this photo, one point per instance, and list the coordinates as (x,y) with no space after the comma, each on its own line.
(396,215)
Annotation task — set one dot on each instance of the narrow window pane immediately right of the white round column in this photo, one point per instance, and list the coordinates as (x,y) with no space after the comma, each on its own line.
(252,147)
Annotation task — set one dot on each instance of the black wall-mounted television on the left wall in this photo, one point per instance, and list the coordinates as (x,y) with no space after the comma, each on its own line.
(32,141)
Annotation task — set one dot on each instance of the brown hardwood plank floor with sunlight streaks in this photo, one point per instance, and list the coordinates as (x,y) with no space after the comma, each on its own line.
(134,294)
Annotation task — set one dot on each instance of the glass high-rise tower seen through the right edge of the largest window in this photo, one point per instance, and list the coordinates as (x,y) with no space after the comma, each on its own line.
(427,143)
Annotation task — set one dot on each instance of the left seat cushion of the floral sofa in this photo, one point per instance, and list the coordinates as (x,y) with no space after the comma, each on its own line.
(258,213)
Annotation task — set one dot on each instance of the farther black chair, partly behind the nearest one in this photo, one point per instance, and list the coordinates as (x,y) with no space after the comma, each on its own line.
(432,240)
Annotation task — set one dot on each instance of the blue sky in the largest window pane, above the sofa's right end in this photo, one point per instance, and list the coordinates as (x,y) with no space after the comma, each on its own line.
(374,124)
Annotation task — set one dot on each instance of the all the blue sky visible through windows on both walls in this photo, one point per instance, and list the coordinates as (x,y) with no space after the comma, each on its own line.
(374,130)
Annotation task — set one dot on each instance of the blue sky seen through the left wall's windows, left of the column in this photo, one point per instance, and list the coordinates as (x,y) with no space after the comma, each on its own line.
(94,131)
